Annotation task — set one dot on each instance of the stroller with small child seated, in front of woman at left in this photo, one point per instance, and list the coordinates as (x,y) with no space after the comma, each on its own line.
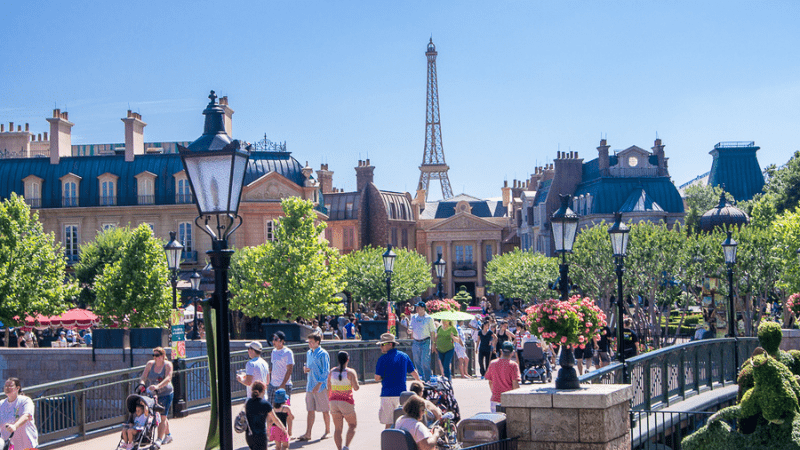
(141,429)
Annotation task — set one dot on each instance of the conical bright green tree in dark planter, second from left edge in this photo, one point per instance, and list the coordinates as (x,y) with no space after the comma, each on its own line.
(136,287)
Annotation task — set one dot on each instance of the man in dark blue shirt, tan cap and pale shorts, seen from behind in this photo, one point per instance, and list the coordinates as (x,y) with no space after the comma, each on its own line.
(390,371)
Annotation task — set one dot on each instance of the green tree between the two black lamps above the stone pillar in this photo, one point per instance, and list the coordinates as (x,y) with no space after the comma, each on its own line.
(592,265)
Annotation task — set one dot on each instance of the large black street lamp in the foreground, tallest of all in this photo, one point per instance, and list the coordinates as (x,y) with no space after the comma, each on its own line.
(215,167)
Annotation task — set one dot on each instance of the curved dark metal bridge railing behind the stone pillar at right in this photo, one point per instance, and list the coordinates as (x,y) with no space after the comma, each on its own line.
(671,374)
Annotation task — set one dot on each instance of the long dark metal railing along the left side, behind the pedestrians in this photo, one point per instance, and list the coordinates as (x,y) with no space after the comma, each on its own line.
(73,409)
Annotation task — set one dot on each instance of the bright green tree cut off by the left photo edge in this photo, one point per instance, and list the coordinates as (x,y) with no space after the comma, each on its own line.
(32,266)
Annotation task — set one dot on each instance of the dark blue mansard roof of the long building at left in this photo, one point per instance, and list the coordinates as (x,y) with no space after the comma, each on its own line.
(89,168)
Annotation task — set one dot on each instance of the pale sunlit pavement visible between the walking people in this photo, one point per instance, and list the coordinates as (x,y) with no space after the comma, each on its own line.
(190,432)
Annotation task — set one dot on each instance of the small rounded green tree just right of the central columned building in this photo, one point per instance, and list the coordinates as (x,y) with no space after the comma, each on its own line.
(522,275)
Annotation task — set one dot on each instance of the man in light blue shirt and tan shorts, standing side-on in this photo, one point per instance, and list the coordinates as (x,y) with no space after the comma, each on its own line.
(318,364)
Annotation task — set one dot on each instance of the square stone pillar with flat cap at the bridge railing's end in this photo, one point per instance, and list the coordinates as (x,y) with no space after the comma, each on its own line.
(595,417)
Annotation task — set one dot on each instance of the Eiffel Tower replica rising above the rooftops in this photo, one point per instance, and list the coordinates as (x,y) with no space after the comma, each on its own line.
(433,166)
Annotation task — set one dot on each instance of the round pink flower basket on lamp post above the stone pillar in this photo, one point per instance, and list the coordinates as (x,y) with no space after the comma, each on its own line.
(571,322)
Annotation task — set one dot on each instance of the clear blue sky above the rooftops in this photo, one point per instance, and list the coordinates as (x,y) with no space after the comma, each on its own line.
(343,81)
